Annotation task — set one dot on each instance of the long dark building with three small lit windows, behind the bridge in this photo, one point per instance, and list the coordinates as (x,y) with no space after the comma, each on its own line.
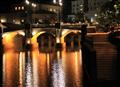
(34,13)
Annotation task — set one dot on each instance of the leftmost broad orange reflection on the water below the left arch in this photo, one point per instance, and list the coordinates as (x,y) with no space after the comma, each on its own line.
(10,69)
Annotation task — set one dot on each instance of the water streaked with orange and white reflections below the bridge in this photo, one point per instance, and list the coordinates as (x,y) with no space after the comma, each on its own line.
(35,69)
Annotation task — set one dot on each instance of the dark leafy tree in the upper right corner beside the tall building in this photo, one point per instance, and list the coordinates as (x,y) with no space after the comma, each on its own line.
(110,12)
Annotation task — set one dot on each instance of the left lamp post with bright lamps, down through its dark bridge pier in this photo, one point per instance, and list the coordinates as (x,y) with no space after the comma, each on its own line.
(28,27)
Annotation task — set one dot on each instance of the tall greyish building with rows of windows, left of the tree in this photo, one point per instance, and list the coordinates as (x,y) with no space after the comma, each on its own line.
(89,8)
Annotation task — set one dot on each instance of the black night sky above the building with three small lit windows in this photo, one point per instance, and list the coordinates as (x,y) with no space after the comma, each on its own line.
(5,4)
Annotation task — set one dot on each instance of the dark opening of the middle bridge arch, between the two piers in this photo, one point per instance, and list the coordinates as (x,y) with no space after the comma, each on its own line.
(46,42)
